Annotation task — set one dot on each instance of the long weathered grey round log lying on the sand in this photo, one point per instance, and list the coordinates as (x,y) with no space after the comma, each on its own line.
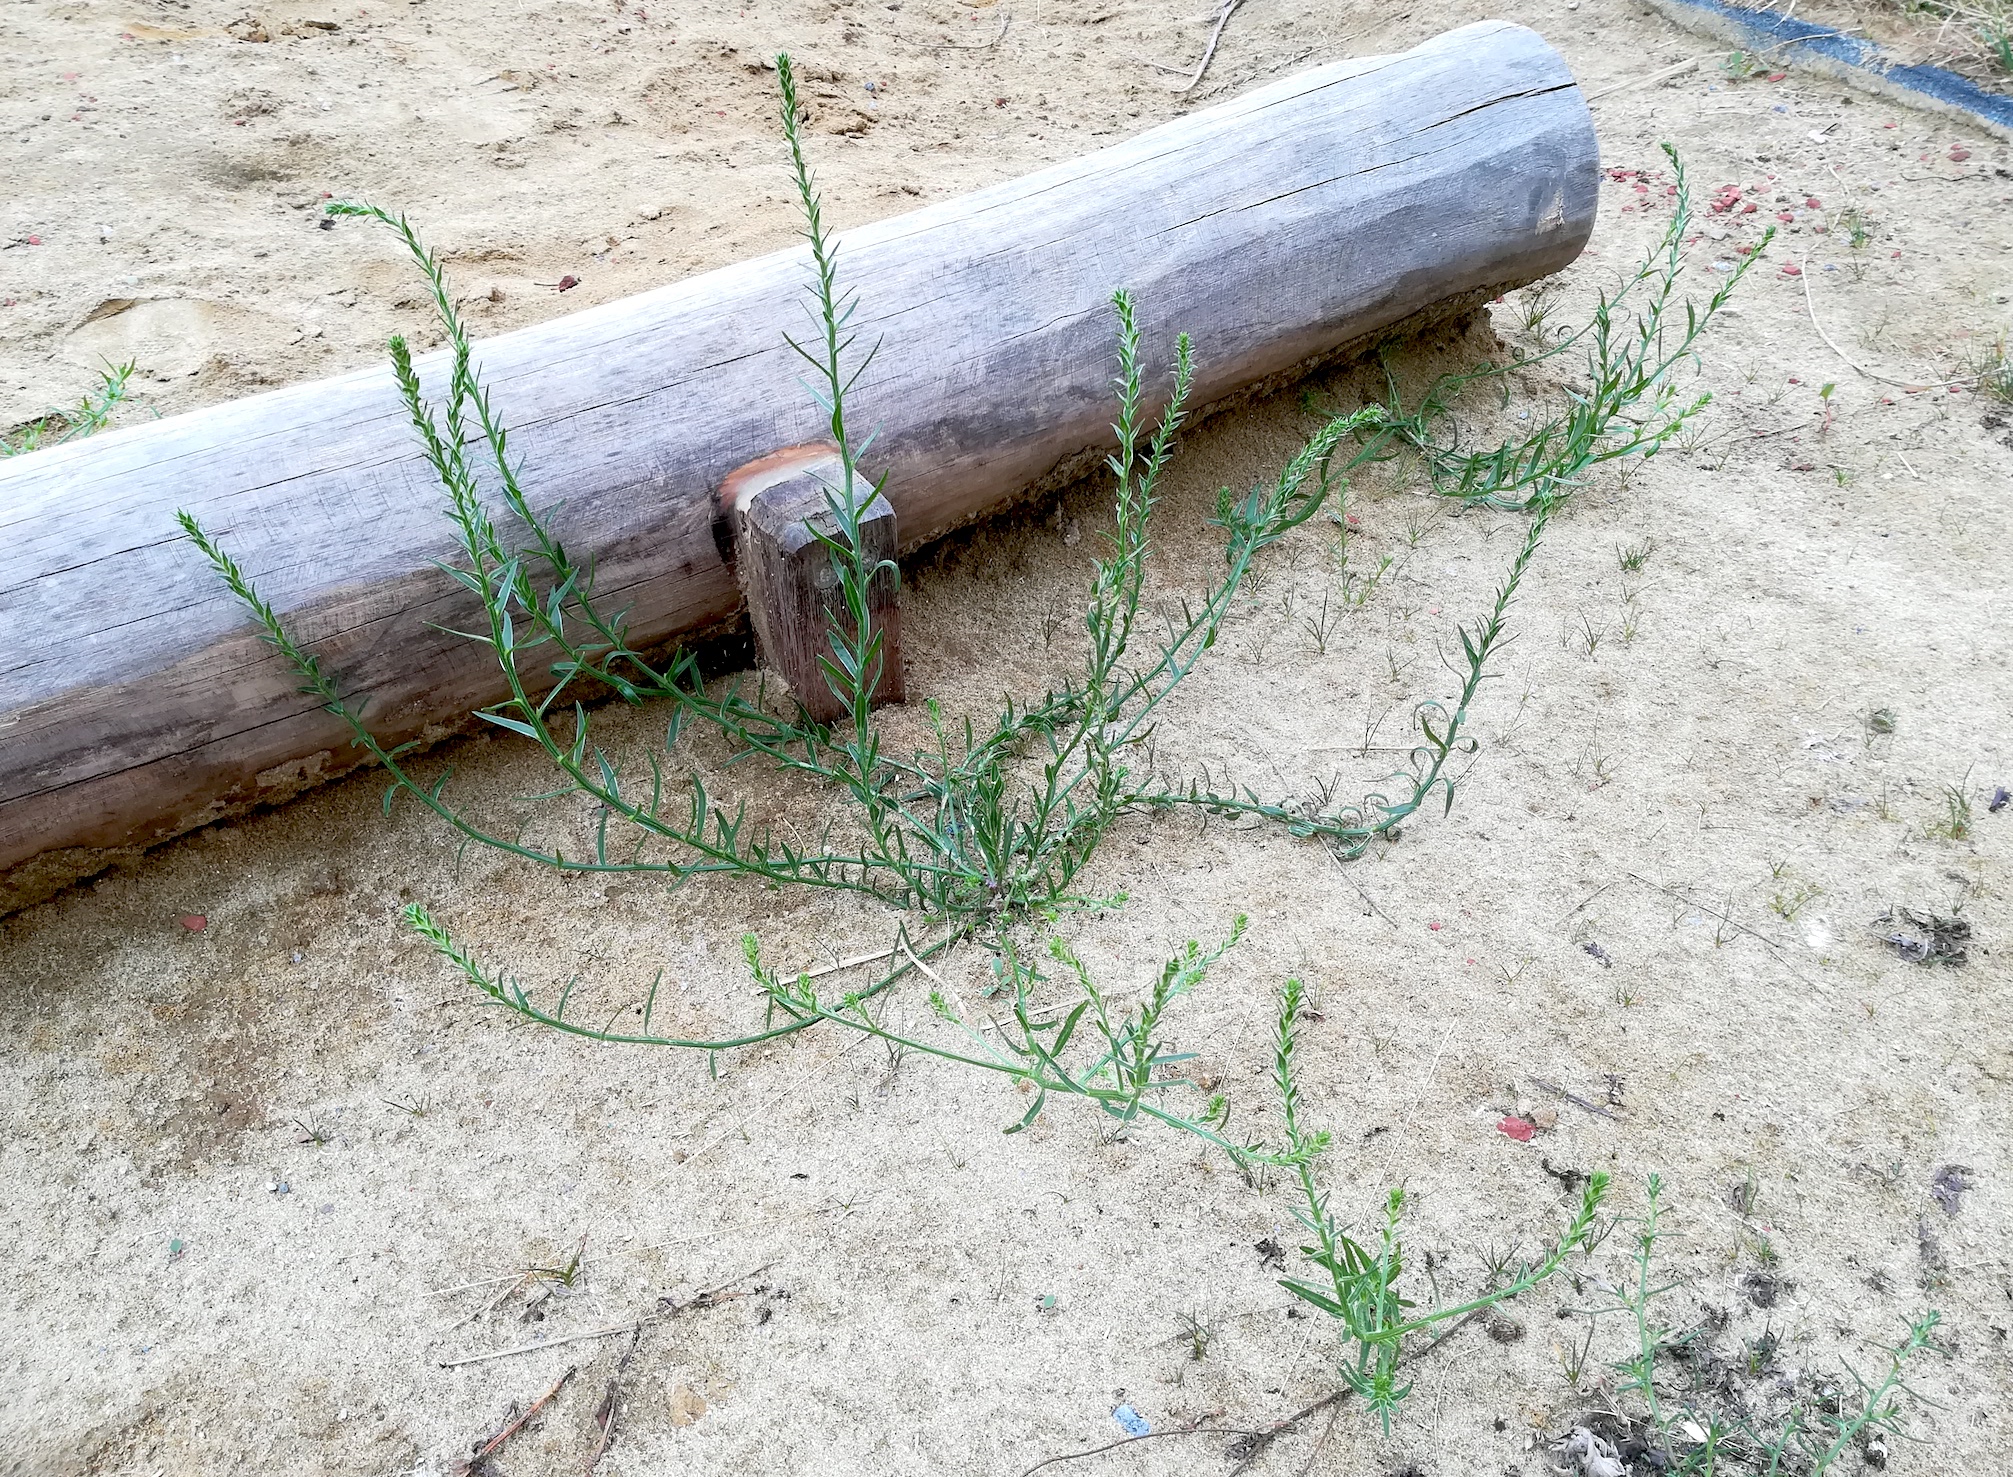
(1279,228)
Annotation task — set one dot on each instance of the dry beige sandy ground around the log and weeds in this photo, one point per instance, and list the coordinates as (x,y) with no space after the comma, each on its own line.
(1662,872)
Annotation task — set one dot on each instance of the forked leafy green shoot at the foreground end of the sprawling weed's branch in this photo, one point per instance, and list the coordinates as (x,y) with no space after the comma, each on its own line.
(1360,1281)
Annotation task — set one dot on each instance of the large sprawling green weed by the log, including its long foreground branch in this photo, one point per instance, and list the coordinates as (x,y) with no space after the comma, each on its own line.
(985,834)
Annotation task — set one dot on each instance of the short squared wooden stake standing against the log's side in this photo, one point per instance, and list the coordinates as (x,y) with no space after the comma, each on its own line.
(790,581)
